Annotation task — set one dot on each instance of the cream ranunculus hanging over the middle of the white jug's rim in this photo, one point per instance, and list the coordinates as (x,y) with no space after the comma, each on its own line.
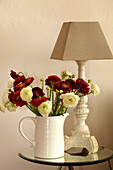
(45,108)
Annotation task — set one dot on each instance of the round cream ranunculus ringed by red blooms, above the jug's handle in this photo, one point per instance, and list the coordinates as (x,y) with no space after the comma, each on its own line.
(26,94)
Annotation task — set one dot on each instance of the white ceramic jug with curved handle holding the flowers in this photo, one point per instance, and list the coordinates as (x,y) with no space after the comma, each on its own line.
(49,136)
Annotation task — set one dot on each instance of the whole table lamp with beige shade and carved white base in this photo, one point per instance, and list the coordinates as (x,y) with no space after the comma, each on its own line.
(81,41)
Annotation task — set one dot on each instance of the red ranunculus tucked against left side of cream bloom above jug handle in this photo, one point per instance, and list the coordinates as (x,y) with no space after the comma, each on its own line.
(17,99)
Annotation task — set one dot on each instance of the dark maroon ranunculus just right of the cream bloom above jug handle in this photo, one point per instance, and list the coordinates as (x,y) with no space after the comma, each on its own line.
(37,91)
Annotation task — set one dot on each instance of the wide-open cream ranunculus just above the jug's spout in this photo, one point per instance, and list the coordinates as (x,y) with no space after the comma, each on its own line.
(69,99)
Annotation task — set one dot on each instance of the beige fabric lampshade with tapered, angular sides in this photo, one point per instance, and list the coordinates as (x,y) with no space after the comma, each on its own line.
(81,41)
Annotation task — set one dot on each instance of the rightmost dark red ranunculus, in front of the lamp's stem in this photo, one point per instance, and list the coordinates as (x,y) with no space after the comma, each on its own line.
(82,86)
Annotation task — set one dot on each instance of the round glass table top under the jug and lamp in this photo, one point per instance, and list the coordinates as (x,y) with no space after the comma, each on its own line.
(101,156)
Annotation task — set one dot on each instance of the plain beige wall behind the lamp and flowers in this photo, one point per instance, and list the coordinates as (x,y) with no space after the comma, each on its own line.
(28,31)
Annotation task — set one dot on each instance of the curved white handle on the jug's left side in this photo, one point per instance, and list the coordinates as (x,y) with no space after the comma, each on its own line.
(21,128)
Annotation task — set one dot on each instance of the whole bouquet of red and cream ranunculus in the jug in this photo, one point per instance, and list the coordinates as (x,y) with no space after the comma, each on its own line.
(61,93)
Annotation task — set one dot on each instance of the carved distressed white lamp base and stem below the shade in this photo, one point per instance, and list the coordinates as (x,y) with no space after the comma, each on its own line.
(80,136)
